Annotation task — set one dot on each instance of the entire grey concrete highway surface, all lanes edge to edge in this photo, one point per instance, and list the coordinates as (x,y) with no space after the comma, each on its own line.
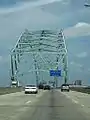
(46,105)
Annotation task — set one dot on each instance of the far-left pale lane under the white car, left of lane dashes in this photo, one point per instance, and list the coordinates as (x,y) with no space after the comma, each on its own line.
(18,98)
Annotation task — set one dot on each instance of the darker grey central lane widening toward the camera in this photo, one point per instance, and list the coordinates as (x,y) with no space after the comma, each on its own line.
(54,106)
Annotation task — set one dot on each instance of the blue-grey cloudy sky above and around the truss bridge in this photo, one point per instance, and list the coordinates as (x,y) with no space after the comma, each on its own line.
(71,15)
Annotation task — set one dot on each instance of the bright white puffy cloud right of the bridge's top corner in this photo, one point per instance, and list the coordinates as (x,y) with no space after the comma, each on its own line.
(80,29)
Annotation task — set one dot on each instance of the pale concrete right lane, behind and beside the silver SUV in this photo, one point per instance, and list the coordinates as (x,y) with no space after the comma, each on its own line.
(79,98)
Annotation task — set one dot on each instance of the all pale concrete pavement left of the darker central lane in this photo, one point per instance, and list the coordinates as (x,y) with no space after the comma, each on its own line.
(10,110)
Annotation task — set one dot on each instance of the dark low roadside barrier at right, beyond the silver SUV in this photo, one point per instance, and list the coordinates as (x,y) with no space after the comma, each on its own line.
(81,89)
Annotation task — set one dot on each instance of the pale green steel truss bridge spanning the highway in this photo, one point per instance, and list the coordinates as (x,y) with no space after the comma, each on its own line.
(47,50)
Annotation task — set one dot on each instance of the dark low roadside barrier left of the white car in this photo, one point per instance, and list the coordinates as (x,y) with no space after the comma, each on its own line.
(8,90)
